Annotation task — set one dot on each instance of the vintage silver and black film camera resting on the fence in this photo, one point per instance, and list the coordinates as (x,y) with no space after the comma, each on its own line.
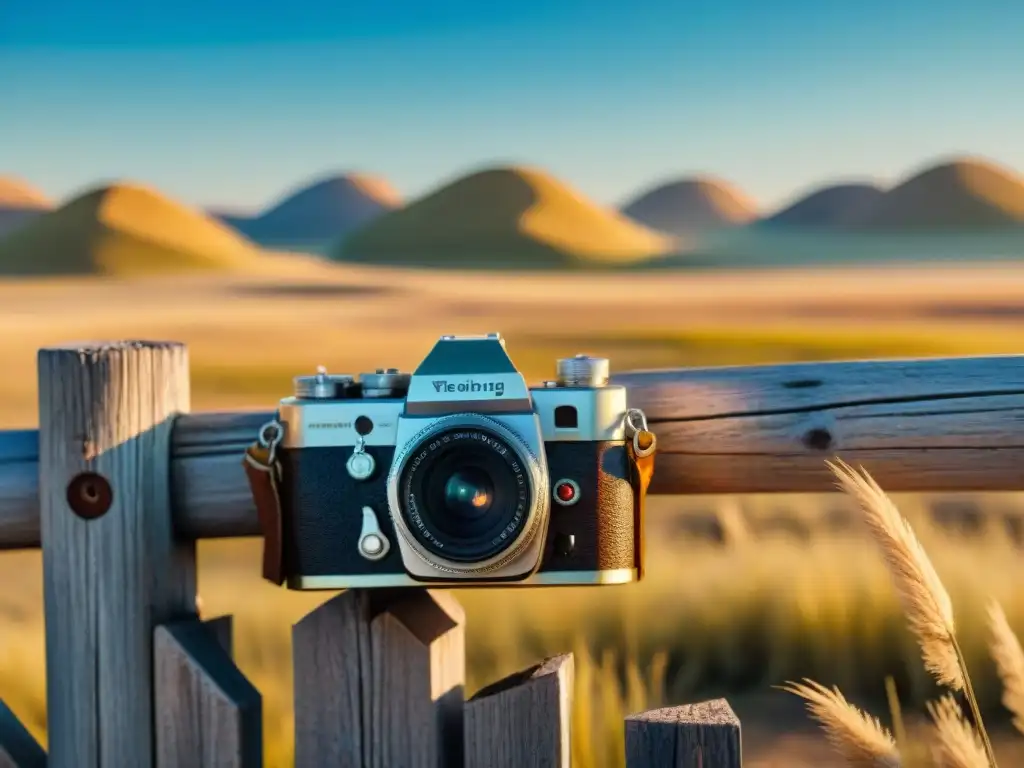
(458,476)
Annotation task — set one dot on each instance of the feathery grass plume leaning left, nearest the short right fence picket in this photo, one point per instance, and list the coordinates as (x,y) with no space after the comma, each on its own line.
(858,737)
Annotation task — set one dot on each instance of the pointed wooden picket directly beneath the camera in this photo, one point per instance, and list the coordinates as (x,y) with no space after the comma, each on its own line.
(379,678)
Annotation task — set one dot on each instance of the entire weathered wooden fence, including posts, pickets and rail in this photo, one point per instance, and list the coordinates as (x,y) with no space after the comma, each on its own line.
(120,482)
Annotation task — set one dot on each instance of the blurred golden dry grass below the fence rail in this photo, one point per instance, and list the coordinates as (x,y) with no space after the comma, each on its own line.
(711,620)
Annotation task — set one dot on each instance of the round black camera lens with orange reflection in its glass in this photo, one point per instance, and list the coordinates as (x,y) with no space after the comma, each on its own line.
(465,495)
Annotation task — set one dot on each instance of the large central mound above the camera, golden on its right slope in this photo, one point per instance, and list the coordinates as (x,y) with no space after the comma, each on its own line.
(503,218)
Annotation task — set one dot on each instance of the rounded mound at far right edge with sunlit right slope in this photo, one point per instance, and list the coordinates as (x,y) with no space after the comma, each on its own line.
(966,194)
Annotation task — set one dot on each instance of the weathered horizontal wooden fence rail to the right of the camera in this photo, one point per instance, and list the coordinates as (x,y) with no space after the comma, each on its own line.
(916,425)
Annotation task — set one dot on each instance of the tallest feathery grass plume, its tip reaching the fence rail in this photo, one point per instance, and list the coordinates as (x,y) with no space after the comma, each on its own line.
(926,603)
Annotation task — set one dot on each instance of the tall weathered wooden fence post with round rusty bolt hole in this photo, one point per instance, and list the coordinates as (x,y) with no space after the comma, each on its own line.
(109,582)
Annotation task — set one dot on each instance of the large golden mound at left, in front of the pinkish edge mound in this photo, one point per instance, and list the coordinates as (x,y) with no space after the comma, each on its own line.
(122,230)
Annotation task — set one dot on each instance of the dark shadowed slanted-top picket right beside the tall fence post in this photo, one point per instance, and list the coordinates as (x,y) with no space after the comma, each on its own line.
(208,715)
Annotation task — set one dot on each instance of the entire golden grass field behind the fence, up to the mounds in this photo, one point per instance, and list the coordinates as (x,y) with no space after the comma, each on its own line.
(791,592)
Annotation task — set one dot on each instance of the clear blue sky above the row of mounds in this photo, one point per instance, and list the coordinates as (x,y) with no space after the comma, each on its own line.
(234,102)
